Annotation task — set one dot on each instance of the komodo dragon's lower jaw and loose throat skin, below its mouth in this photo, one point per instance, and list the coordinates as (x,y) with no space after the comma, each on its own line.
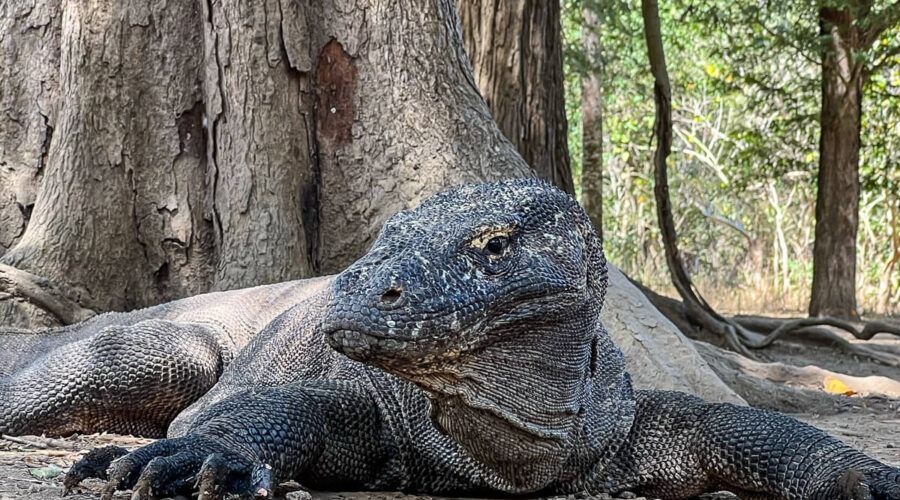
(515,405)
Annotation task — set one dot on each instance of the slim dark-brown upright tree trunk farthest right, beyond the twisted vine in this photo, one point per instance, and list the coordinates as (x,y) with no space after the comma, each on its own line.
(837,202)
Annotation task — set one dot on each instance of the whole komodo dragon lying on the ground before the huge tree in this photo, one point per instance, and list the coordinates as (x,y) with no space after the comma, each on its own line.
(462,355)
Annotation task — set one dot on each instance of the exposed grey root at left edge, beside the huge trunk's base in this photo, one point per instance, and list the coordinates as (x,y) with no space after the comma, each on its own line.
(18,284)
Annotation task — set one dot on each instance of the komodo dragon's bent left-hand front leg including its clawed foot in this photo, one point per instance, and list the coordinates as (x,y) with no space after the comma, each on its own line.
(320,433)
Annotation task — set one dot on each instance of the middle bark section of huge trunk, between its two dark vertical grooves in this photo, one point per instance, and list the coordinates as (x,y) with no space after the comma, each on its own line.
(258,98)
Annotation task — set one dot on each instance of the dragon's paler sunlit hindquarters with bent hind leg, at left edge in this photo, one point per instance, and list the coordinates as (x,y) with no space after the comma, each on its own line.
(132,372)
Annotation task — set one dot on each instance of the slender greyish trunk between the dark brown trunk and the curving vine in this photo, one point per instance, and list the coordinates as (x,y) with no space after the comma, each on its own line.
(592,125)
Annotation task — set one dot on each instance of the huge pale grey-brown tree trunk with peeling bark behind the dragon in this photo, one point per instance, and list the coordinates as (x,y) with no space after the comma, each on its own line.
(213,145)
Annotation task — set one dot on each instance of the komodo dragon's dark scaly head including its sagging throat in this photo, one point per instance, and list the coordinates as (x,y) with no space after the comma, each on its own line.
(487,297)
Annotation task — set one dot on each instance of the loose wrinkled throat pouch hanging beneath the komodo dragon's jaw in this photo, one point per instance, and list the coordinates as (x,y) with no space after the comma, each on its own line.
(519,405)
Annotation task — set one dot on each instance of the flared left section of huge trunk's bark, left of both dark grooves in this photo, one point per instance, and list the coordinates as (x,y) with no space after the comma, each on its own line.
(113,219)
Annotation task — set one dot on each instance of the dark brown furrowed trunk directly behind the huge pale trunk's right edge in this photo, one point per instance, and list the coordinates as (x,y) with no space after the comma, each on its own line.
(516,51)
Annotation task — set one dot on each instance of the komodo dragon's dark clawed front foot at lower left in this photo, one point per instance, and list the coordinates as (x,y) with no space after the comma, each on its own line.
(175,466)
